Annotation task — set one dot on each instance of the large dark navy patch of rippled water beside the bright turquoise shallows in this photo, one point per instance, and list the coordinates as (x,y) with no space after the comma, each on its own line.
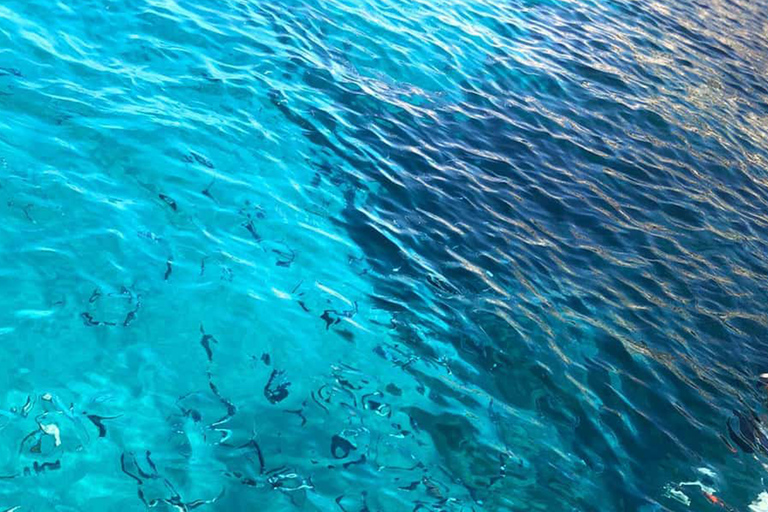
(498,290)
